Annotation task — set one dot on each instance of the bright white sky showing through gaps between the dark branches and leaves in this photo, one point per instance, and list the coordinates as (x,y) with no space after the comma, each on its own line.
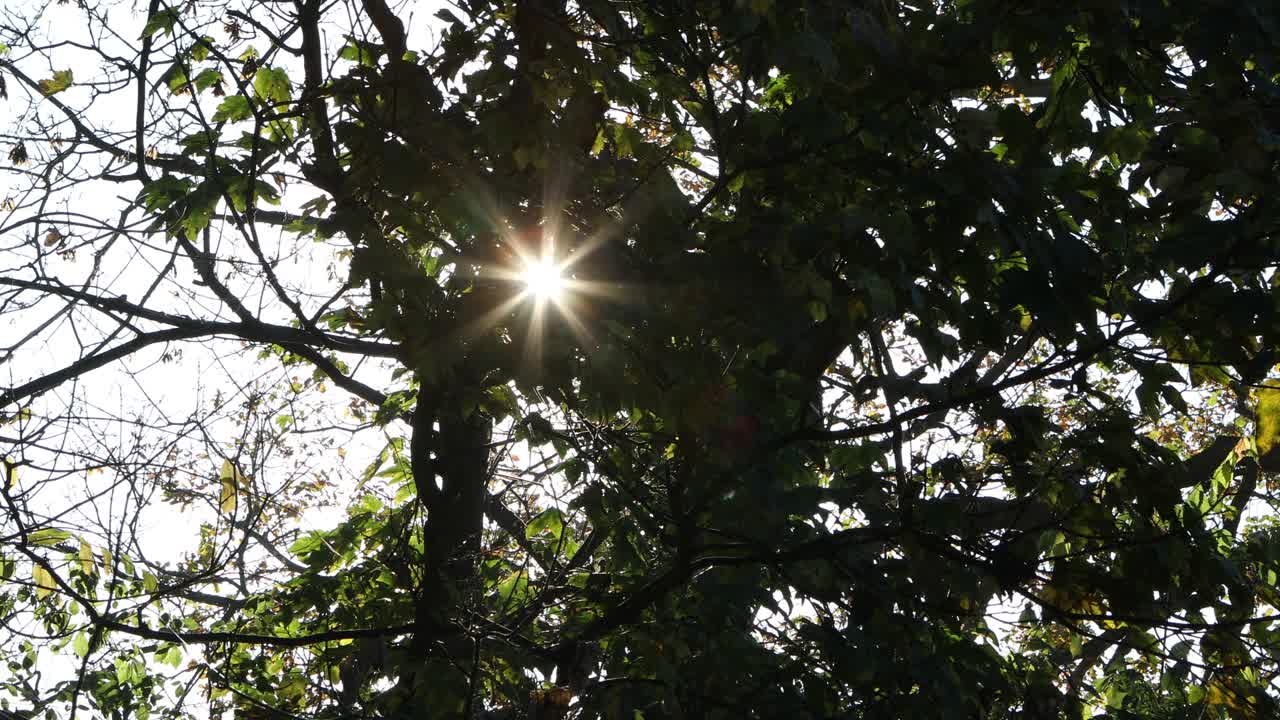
(158,386)
